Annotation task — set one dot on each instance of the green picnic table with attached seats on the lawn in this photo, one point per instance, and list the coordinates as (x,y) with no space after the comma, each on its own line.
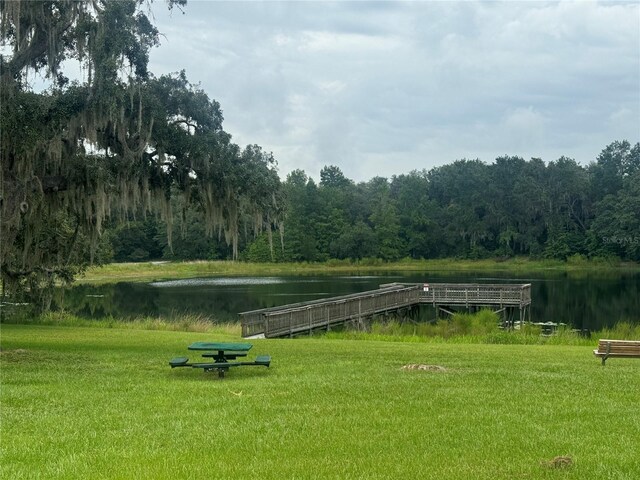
(223,356)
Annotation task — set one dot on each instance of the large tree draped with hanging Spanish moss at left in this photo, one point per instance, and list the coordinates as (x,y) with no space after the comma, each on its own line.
(113,146)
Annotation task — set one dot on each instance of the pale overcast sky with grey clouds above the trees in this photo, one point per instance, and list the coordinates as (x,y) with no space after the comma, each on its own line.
(384,88)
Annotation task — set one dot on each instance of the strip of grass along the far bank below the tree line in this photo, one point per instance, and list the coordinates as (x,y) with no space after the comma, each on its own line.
(117,272)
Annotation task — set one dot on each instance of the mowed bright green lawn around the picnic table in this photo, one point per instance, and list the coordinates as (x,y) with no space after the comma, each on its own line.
(92,403)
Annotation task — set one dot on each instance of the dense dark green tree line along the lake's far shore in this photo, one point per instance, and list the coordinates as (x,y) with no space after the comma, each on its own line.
(466,209)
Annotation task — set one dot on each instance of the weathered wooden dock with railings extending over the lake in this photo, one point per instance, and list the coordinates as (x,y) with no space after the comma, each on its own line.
(304,317)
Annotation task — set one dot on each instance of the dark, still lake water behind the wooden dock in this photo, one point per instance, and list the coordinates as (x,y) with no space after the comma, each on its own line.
(585,300)
